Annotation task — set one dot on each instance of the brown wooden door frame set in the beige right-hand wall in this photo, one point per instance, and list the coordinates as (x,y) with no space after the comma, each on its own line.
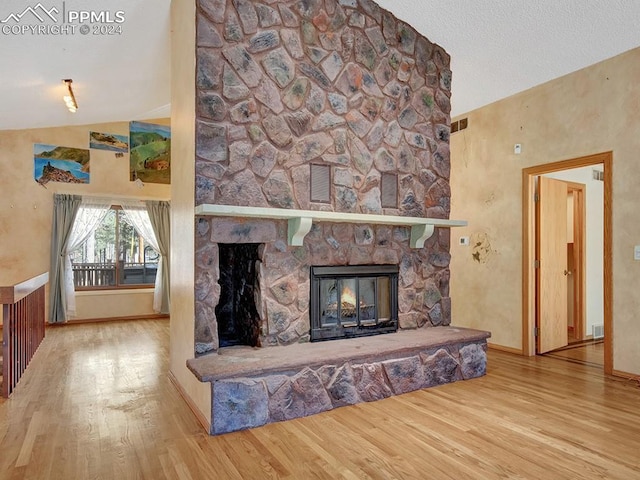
(528,249)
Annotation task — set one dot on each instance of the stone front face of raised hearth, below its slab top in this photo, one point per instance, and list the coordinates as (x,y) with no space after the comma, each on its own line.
(248,402)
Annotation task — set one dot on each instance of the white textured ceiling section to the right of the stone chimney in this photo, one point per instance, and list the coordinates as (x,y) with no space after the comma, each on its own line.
(502,47)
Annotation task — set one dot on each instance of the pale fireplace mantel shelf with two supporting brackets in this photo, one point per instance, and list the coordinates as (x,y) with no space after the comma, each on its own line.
(300,221)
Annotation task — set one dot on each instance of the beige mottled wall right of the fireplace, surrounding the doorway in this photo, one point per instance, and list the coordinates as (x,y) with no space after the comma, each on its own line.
(590,111)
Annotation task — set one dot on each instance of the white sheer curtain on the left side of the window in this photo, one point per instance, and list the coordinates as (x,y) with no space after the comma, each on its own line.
(90,214)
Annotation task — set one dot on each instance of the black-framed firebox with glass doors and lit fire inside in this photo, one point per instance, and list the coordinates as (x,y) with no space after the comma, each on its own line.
(353,301)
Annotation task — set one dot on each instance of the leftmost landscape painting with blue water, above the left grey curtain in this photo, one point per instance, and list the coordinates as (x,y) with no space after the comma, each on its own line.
(60,164)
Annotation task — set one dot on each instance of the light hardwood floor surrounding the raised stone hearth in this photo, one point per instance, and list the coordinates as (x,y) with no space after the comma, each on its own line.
(96,403)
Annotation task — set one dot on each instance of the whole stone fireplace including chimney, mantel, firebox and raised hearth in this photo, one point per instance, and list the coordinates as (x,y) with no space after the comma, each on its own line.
(322,194)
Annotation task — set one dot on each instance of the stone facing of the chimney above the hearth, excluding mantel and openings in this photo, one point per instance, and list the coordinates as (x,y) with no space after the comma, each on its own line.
(282,85)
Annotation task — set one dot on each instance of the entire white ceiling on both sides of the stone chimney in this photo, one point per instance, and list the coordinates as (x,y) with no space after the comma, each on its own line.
(498,48)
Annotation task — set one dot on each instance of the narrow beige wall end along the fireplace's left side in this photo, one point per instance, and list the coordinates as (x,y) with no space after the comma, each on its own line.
(182,207)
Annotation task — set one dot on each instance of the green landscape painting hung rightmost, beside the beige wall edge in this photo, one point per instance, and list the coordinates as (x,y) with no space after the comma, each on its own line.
(150,154)
